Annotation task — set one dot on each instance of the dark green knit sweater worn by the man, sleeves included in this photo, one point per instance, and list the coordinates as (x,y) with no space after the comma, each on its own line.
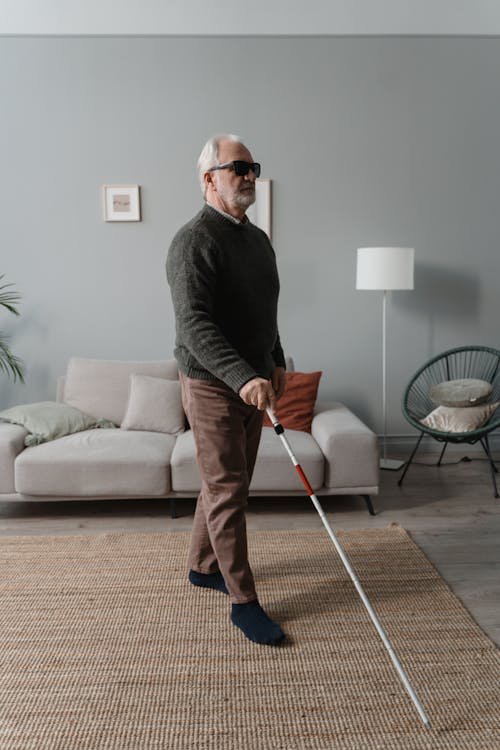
(225,287)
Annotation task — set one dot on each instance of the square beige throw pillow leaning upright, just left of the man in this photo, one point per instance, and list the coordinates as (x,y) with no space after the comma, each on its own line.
(154,404)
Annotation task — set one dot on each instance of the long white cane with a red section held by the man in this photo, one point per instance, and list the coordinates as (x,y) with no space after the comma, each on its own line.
(278,428)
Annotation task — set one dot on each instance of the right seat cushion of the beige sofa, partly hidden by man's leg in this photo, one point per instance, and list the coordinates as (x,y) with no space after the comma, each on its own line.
(273,470)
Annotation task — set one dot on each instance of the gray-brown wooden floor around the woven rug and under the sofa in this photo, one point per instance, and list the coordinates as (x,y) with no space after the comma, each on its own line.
(449,511)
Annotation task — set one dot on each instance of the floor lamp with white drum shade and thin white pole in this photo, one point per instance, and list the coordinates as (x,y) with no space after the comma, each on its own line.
(385,269)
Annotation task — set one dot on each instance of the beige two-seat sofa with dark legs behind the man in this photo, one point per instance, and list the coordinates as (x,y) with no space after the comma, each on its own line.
(339,456)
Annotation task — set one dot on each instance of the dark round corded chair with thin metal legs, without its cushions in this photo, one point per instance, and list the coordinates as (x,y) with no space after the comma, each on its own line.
(481,362)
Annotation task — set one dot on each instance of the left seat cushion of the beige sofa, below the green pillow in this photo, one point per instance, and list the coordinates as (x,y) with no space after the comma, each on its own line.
(109,463)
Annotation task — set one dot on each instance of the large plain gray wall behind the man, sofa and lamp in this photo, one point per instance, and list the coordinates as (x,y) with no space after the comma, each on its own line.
(368,141)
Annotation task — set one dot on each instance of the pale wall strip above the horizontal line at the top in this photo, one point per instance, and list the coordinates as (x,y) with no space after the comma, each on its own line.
(279,17)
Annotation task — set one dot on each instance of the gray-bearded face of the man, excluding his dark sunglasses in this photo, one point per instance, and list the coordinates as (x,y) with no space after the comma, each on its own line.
(236,193)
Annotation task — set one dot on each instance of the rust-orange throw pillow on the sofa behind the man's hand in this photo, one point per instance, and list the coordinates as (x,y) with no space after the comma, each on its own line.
(295,408)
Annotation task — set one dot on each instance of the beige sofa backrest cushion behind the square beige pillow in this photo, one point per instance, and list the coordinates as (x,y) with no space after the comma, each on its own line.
(100,387)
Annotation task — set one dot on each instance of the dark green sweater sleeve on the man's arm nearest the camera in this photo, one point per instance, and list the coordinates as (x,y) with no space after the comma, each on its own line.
(191,271)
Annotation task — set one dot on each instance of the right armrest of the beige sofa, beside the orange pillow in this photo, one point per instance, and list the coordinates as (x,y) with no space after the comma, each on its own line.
(350,448)
